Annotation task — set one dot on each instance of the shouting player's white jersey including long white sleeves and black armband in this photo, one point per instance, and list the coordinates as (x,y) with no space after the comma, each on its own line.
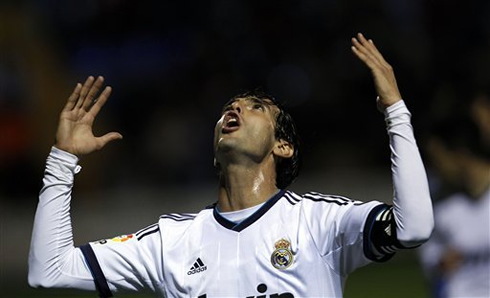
(291,246)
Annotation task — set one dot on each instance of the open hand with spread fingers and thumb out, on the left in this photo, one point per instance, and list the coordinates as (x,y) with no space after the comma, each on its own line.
(74,133)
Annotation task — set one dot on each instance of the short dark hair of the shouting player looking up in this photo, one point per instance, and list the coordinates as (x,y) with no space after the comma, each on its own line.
(287,169)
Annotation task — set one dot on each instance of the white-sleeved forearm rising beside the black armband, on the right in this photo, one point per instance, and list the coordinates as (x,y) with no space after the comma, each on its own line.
(412,203)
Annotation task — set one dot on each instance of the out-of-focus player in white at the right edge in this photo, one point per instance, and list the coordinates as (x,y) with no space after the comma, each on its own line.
(457,257)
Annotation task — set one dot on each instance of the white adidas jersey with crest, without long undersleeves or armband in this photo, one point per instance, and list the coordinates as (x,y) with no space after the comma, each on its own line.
(295,246)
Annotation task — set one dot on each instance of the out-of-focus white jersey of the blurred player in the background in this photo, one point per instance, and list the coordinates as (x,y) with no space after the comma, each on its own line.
(462,224)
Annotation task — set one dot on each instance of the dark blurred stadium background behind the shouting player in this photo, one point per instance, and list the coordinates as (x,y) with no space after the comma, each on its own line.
(173,64)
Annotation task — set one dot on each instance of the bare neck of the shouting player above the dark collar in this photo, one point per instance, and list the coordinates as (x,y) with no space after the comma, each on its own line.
(244,186)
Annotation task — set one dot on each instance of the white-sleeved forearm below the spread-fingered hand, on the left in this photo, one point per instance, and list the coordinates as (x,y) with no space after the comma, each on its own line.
(53,259)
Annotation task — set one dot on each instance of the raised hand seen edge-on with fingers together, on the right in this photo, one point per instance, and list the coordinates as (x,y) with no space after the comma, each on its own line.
(383,75)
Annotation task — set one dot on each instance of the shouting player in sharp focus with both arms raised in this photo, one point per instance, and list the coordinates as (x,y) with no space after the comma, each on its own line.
(259,239)
